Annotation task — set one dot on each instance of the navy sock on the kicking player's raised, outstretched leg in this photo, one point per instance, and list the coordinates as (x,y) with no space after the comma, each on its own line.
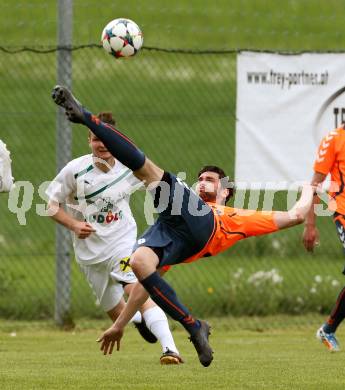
(121,147)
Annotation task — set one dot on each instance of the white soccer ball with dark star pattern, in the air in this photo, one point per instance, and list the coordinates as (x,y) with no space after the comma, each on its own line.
(122,38)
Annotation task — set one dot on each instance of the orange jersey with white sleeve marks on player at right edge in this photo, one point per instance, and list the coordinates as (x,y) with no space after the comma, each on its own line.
(331,159)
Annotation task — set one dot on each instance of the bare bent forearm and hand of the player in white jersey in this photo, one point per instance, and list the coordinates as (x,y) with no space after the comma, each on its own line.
(58,214)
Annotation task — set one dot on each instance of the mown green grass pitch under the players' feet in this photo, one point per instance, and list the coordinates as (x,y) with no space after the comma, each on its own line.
(38,356)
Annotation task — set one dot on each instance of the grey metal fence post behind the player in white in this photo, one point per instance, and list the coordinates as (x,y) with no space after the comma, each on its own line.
(63,155)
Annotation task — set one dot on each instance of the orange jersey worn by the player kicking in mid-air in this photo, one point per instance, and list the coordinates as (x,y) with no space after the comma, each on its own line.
(232,225)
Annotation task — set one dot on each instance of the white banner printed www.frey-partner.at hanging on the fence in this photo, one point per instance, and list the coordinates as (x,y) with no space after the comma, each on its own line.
(285,105)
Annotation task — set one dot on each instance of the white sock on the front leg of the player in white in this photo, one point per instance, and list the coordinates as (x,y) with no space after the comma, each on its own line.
(157,322)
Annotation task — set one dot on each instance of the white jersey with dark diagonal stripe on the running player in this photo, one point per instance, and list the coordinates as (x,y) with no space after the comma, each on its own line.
(101,199)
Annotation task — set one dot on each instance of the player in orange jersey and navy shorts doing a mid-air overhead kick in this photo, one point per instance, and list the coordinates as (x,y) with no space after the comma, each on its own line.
(179,238)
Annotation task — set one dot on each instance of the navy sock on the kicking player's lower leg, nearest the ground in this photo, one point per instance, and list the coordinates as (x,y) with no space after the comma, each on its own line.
(165,297)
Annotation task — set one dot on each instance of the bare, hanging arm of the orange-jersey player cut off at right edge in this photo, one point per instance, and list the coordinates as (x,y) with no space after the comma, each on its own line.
(310,234)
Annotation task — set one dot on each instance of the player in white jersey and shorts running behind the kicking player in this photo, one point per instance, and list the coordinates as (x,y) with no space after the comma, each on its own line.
(96,189)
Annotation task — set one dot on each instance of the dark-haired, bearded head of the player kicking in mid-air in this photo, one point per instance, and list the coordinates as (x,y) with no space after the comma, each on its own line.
(209,188)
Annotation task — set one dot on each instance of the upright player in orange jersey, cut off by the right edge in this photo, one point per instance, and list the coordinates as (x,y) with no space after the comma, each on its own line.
(330,159)
